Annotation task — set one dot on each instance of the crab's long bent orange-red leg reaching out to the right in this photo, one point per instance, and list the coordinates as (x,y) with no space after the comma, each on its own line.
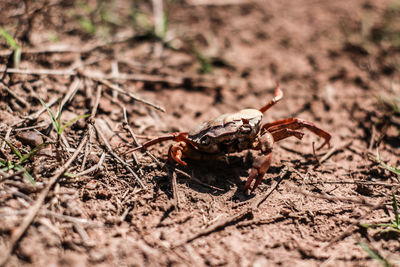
(296,124)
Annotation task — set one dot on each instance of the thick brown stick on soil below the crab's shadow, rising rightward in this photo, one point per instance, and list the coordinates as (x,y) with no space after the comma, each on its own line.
(217,226)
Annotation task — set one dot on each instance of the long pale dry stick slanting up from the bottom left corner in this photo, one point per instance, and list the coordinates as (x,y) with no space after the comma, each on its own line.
(19,232)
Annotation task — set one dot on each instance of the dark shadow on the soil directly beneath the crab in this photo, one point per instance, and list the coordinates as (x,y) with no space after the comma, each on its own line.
(217,177)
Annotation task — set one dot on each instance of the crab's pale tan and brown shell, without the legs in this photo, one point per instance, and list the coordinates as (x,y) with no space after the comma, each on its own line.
(228,133)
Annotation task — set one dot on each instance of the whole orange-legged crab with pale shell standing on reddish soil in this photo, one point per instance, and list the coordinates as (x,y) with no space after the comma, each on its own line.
(235,132)
